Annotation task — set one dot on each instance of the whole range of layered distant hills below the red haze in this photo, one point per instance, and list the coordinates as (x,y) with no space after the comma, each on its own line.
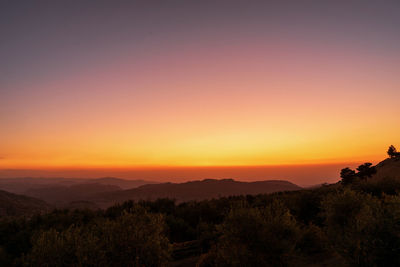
(104,192)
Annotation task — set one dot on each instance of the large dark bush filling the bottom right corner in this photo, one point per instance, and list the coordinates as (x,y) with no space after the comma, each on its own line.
(363,228)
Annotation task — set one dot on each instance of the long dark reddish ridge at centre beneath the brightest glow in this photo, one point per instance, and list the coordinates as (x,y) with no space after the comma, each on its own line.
(196,190)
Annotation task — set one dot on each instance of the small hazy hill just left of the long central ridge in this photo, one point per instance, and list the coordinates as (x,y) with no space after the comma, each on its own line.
(60,195)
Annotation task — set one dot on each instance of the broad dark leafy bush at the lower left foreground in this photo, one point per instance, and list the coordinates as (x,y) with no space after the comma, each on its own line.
(133,239)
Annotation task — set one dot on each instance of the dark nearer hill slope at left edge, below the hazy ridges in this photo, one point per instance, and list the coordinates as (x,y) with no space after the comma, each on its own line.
(17,205)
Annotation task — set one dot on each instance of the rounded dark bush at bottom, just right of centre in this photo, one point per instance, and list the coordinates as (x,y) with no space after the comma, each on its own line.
(256,237)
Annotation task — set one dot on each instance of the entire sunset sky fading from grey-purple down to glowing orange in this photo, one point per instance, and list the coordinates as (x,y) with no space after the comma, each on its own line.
(129,85)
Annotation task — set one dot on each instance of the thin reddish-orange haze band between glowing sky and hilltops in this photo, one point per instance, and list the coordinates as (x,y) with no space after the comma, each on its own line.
(302,175)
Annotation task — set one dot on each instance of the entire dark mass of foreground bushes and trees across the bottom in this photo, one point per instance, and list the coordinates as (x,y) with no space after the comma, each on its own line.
(353,223)
